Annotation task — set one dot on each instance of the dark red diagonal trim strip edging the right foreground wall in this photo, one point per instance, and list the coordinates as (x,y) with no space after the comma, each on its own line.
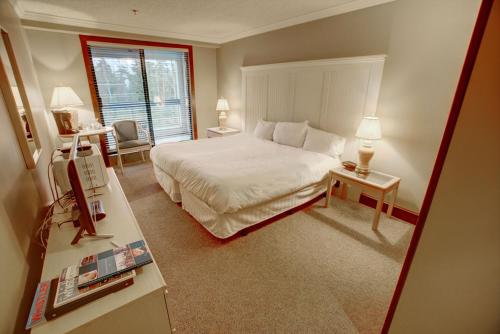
(470,59)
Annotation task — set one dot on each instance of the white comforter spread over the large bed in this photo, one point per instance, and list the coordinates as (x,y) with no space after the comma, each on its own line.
(232,173)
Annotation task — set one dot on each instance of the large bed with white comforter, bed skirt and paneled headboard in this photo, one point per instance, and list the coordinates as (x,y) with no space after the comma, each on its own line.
(230,183)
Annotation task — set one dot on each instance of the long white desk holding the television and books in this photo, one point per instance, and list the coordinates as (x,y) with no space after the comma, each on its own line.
(139,308)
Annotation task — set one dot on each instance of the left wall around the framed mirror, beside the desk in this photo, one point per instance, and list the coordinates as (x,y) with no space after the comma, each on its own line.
(22,192)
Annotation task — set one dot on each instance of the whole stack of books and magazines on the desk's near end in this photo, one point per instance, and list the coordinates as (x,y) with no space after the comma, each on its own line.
(93,277)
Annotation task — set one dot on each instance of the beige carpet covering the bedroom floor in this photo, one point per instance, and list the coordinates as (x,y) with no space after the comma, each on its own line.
(315,271)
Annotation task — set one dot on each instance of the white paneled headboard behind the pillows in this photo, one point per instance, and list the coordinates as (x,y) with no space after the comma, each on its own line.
(333,94)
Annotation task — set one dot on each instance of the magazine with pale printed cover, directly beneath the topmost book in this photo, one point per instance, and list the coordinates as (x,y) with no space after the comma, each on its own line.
(67,286)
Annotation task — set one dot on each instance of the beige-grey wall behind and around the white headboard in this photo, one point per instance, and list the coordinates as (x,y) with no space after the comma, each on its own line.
(425,42)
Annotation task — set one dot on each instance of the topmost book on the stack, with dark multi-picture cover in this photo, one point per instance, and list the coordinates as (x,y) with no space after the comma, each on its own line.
(98,267)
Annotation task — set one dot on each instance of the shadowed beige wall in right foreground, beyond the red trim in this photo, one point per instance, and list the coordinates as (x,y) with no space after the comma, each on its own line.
(454,282)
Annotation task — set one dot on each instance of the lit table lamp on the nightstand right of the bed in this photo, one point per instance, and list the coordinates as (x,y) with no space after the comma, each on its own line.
(368,130)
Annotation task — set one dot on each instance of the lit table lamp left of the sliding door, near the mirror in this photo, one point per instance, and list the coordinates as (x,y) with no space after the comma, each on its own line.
(63,98)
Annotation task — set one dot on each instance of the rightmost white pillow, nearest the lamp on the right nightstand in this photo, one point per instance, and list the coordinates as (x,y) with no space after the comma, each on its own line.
(324,142)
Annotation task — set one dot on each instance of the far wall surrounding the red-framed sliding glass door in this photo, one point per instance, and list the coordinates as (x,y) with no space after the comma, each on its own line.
(58,61)
